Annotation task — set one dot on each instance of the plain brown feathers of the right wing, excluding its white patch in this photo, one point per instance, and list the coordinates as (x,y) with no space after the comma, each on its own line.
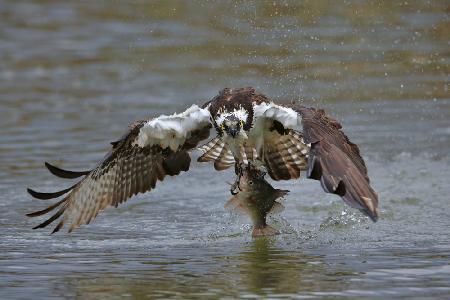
(336,161)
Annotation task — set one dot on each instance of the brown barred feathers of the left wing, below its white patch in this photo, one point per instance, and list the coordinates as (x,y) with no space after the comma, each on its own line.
(127,170)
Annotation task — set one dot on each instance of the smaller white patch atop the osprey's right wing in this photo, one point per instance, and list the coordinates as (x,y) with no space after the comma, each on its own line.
(286,116)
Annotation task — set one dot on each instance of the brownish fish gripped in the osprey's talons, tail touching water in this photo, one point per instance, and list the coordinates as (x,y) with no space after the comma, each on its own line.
(256,198)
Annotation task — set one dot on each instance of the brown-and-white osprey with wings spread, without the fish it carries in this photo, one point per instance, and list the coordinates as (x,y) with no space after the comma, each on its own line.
(283,140)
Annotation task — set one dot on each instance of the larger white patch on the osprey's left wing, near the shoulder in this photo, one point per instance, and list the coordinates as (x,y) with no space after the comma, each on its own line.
(172,131)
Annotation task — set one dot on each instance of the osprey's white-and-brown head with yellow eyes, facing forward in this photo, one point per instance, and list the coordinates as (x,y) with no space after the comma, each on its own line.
(232,124)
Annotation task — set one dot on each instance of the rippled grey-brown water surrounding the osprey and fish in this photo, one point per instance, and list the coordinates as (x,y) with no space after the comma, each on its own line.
(73,75)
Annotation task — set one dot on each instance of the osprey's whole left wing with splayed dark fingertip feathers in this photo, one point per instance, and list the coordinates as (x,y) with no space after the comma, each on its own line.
(148,152)
